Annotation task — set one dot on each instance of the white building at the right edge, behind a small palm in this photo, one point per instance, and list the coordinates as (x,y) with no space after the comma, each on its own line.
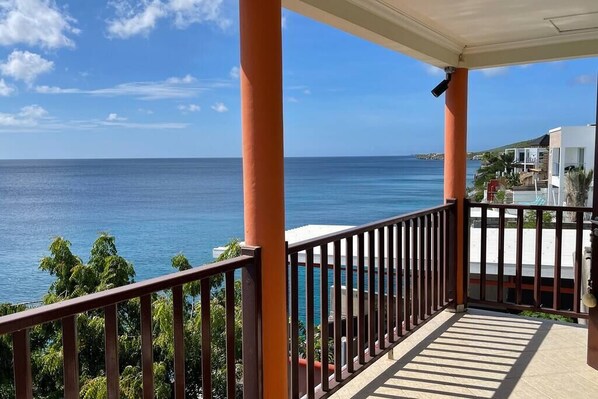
(570,147)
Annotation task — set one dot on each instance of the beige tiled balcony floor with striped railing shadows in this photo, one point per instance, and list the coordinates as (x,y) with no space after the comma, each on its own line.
(482,354)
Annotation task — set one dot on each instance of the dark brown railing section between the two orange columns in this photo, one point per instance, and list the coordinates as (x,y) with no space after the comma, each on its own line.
(401,277)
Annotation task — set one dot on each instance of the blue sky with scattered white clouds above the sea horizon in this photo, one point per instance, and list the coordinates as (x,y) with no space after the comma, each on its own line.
(159,78)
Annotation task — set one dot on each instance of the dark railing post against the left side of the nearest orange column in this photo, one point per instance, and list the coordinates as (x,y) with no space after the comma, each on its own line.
(252,325)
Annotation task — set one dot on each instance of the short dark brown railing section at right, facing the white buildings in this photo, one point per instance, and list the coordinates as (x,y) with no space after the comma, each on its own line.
(504,274)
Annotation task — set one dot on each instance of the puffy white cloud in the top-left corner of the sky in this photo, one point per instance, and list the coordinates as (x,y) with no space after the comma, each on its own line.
(35,23)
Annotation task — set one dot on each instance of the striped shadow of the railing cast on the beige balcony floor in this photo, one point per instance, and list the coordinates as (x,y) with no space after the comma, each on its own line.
(467,356)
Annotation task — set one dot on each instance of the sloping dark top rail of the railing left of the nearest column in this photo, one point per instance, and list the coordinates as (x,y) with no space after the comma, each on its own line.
(56,311)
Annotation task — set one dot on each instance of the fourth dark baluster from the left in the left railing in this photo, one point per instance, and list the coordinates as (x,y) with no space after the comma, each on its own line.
(147,350)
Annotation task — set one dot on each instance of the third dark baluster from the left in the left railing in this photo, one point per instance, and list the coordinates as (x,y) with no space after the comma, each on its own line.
(111,347)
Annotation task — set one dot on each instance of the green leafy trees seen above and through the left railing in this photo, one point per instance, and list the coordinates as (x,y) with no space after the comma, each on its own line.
(107,269)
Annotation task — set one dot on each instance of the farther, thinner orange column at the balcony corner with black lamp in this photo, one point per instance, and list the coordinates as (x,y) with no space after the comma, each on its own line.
(455,164)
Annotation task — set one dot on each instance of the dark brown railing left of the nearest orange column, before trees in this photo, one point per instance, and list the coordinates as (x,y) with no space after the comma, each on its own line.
(66,312)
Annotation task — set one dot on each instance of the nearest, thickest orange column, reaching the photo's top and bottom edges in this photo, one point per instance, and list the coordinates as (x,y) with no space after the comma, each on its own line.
(263,175)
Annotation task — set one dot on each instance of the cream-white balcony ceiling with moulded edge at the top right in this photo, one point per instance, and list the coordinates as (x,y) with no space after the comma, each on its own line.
(467,33)
